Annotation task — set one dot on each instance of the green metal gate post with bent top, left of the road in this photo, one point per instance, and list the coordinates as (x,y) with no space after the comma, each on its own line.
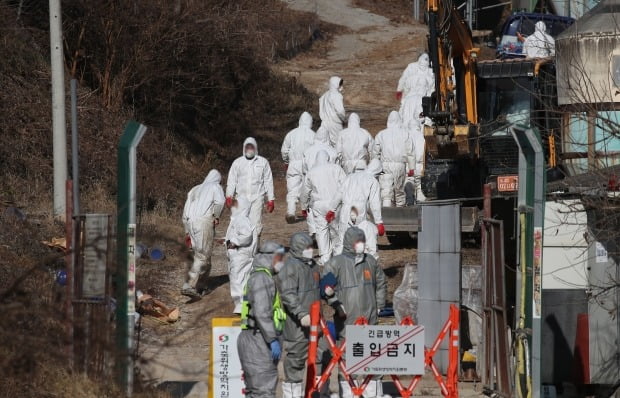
(126,259)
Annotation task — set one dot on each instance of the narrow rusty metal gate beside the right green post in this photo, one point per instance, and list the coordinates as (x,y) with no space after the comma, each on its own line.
(495,366)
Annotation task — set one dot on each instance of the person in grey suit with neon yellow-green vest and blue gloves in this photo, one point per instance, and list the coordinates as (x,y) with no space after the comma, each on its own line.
(253,344)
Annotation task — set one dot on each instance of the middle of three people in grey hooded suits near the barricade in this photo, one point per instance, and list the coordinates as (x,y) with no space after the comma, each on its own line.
(299,286)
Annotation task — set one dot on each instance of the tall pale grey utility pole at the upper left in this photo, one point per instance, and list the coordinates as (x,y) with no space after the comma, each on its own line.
(59,126)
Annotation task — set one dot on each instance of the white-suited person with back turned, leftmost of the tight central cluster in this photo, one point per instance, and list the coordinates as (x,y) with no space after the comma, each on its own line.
(293,147)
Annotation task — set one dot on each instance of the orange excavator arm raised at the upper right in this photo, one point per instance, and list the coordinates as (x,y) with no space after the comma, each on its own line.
(453,106)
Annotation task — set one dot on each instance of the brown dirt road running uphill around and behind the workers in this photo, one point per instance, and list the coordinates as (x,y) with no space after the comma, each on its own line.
(369,56)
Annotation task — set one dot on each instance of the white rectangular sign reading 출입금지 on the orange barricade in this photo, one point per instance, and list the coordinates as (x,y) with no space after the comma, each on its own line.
(385,350)
